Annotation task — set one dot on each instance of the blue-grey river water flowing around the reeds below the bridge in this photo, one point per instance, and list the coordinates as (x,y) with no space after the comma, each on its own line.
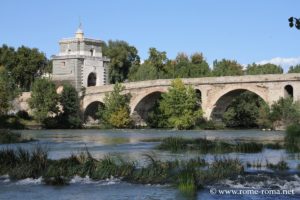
(130,144)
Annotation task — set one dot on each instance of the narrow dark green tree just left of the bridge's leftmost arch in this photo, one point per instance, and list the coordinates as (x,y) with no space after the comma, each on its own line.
(69,100)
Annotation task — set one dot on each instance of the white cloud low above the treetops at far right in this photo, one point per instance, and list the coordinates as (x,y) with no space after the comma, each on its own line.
(285,63)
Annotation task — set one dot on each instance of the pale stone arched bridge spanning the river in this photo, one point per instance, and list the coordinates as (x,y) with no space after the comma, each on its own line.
(215,93)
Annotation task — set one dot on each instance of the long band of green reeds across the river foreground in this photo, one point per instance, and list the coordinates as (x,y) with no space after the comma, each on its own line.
(186,175)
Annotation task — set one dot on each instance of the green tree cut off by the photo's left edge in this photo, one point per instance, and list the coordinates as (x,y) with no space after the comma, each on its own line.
(8,91)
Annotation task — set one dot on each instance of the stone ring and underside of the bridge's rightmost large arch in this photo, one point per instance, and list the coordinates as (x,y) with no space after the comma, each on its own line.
(222,99)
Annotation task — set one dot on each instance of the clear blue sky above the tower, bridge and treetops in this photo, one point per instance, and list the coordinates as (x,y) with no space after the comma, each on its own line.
(243,30)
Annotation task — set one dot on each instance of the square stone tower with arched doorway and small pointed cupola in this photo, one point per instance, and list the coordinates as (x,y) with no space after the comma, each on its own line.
(80,62)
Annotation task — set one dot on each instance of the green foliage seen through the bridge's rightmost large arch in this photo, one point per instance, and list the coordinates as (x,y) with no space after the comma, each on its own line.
(243,110)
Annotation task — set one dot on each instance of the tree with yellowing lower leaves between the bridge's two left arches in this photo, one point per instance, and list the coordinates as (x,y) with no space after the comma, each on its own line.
(116,111)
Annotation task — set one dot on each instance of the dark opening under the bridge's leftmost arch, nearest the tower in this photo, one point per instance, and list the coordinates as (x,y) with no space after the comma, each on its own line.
(90,113)
